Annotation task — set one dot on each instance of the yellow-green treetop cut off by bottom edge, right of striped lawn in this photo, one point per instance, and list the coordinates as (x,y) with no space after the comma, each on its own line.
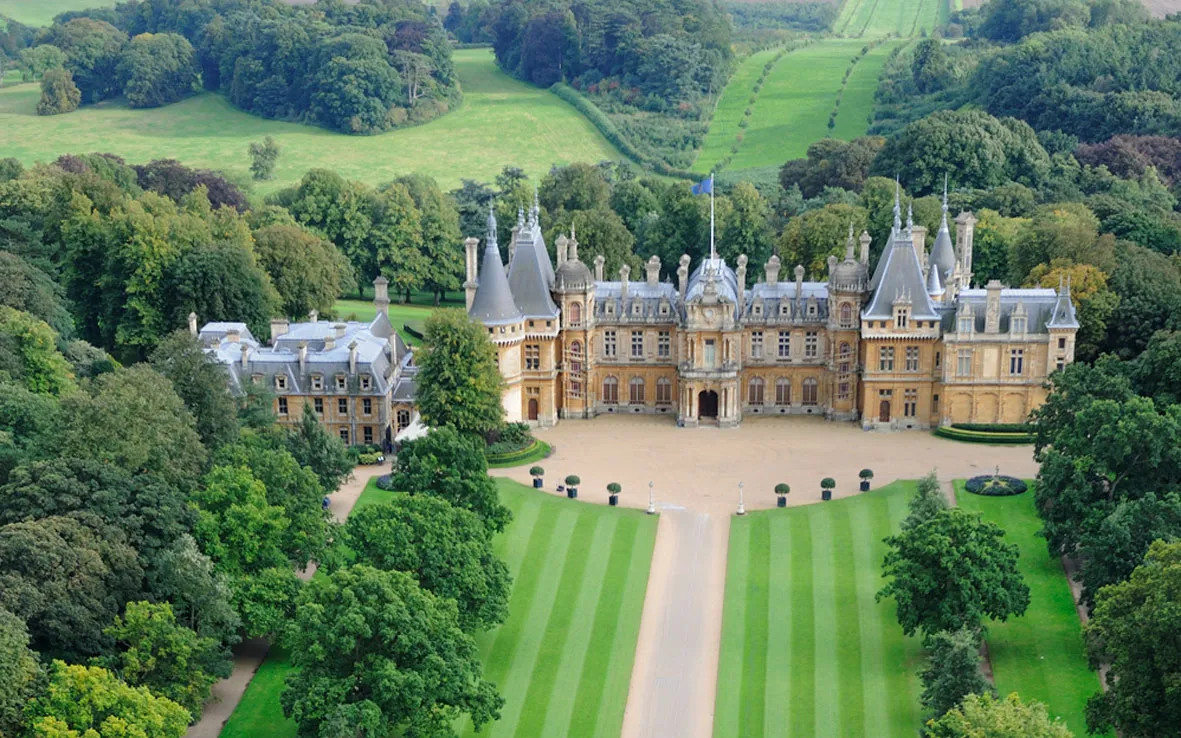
(983,716)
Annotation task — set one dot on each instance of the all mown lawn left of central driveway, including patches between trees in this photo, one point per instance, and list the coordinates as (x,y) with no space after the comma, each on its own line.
(563,661)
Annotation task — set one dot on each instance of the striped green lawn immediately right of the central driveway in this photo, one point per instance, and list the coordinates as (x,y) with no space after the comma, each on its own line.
(806,650)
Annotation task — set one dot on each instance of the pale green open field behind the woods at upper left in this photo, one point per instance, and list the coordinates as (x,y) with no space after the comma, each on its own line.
(503,122)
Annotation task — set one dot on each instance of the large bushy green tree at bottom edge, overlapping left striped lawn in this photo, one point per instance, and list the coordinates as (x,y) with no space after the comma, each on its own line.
(353,680)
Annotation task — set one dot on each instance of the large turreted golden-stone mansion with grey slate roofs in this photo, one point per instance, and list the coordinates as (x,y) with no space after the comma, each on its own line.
(908,344)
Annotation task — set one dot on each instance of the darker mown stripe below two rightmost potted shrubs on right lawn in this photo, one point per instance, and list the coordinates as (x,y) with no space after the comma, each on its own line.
(847,617)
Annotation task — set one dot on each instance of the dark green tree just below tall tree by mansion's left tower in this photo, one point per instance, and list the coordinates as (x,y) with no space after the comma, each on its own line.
(453,467)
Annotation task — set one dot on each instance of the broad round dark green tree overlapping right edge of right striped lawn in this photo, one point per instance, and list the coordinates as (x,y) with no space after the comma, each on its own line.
(952,571)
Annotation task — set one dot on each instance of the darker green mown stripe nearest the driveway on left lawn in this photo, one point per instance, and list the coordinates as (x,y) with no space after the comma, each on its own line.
(603,633)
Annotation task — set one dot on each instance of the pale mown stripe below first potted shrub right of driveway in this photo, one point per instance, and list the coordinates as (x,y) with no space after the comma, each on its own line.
(779,695)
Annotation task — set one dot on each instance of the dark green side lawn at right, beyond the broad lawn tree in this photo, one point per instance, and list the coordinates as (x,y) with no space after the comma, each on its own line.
(1041,655)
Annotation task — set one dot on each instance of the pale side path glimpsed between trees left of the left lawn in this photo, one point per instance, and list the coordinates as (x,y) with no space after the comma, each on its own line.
(249,656)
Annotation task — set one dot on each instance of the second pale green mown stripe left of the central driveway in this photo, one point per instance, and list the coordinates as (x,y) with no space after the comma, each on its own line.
(566,685)
